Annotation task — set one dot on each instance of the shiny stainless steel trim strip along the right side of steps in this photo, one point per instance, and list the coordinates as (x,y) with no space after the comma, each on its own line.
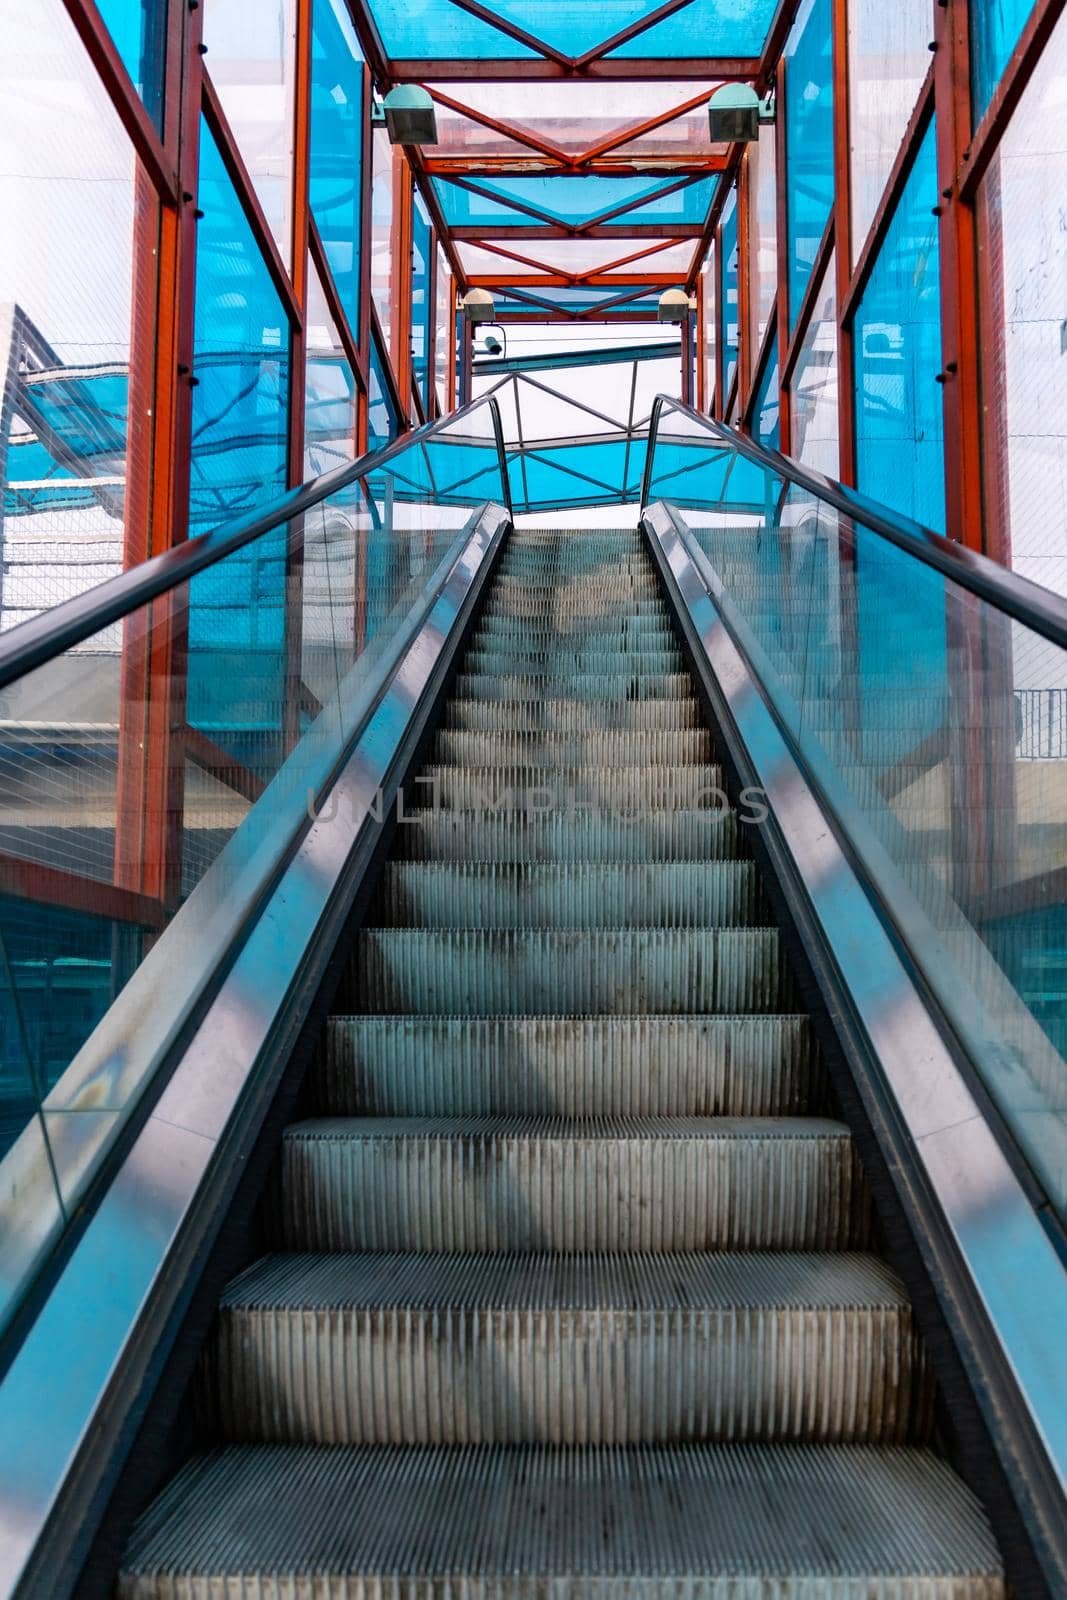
(997,1236)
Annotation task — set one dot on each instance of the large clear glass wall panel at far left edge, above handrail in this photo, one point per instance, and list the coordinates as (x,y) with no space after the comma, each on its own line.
(78,311)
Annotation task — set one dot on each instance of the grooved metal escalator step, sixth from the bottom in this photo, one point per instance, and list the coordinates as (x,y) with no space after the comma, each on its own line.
(546,895)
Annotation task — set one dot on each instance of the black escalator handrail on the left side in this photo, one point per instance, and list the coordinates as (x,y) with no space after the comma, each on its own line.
(73,622)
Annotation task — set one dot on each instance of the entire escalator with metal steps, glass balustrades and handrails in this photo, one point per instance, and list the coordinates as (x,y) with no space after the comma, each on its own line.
(567,1121)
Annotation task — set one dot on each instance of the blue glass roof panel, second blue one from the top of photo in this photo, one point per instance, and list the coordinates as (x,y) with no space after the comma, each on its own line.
(575,201)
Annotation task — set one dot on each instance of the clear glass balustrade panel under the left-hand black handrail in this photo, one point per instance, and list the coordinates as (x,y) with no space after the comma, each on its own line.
(118,810)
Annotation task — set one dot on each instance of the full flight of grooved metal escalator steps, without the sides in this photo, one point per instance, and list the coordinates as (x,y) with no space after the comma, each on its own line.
(572,1276)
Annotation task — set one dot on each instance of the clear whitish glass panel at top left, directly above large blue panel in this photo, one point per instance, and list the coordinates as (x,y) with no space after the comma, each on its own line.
(250,58)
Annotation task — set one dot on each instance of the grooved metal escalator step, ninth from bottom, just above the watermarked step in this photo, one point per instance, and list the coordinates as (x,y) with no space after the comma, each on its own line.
(597,748)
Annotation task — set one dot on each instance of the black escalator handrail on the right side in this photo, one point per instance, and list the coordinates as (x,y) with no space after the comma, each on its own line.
(1018,598)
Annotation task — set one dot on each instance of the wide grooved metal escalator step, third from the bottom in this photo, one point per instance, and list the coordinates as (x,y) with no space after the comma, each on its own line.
(526,1183)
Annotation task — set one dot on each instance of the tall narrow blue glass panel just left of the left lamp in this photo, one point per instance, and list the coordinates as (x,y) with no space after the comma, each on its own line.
(337,146)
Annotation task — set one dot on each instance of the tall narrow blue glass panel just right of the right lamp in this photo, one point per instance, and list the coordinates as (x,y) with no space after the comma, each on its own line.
(809,143)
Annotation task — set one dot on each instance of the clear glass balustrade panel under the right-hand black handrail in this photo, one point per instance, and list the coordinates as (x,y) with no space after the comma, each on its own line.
(906,698)
